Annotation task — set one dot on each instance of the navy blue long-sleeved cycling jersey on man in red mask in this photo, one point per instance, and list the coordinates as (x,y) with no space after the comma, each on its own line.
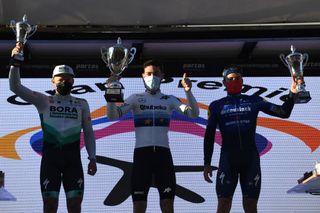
(236,117)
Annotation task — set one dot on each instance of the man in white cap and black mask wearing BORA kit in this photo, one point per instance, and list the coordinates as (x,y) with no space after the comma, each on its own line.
(62,118)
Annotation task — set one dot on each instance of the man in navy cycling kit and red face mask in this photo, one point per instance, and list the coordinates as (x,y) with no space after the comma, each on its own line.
(236,116)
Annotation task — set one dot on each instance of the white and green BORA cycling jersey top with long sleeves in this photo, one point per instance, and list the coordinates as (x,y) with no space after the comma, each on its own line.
(62,117)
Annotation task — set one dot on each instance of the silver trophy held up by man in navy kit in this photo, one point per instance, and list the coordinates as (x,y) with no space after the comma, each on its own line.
(295,62)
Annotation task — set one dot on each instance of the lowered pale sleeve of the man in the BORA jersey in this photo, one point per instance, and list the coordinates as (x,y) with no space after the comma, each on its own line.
(89,137)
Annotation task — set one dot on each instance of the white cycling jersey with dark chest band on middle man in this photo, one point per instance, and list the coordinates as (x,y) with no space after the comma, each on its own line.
(152,114)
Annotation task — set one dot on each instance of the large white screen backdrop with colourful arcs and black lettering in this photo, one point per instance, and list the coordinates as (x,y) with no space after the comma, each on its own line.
(288,148)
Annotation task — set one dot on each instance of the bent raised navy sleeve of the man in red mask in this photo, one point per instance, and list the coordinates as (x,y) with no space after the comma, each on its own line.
(282,111)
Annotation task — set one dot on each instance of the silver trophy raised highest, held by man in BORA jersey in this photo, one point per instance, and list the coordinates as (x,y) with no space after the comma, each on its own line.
(23,31)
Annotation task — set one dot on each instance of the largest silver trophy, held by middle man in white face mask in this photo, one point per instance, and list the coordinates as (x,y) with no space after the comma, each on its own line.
(117,59)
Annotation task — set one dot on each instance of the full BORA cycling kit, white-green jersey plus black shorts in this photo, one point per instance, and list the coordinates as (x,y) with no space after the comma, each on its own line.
(62,118)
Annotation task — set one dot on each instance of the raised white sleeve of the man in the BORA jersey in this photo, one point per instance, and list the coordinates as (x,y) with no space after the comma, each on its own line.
(35,98)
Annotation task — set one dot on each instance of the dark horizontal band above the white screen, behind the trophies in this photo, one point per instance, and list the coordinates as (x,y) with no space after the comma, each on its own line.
(202,51)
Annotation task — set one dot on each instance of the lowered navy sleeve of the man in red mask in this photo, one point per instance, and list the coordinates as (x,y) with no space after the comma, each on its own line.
(208,143)
